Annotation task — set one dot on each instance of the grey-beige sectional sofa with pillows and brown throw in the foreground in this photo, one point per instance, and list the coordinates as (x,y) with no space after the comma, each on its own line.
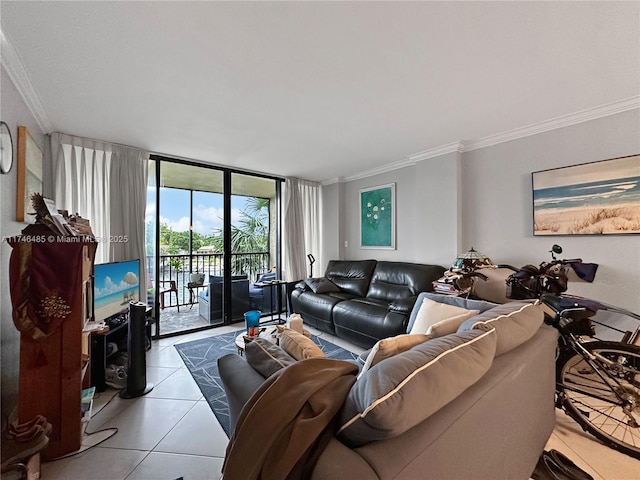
(475,404)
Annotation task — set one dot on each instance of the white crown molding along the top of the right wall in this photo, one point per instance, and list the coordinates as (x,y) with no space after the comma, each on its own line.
(589,114)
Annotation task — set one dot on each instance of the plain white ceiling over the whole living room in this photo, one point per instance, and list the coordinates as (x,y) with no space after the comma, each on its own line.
(317,90)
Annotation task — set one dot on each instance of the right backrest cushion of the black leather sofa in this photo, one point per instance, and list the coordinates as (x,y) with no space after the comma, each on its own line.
(397,280)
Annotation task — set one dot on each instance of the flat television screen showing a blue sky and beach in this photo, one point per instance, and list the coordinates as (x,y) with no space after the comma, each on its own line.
(114,286)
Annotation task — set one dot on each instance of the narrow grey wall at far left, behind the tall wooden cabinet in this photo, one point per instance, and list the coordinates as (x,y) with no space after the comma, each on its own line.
(14,113)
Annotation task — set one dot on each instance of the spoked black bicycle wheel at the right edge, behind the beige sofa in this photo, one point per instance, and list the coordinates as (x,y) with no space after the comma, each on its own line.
(593,401)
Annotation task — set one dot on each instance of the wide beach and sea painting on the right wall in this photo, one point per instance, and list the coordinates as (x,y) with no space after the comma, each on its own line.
(596,198)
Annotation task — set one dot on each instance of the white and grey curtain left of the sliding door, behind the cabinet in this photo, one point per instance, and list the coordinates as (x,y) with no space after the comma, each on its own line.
(107,185)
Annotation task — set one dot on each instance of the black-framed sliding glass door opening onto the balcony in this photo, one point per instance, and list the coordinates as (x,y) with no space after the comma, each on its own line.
(215,232)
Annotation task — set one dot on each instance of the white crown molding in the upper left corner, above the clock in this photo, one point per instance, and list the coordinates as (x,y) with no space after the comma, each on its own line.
(18,75)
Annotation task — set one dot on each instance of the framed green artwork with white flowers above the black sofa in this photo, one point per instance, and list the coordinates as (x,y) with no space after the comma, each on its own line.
(378,217)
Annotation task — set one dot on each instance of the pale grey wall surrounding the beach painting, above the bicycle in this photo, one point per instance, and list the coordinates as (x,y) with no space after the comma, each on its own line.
(497,203)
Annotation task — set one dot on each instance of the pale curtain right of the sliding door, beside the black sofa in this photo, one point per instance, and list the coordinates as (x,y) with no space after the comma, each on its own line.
(302,228)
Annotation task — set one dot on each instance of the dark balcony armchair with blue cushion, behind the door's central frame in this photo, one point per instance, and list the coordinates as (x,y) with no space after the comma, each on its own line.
(210,301)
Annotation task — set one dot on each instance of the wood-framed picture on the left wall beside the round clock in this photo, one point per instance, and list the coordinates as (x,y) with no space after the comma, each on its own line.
(29,174)
